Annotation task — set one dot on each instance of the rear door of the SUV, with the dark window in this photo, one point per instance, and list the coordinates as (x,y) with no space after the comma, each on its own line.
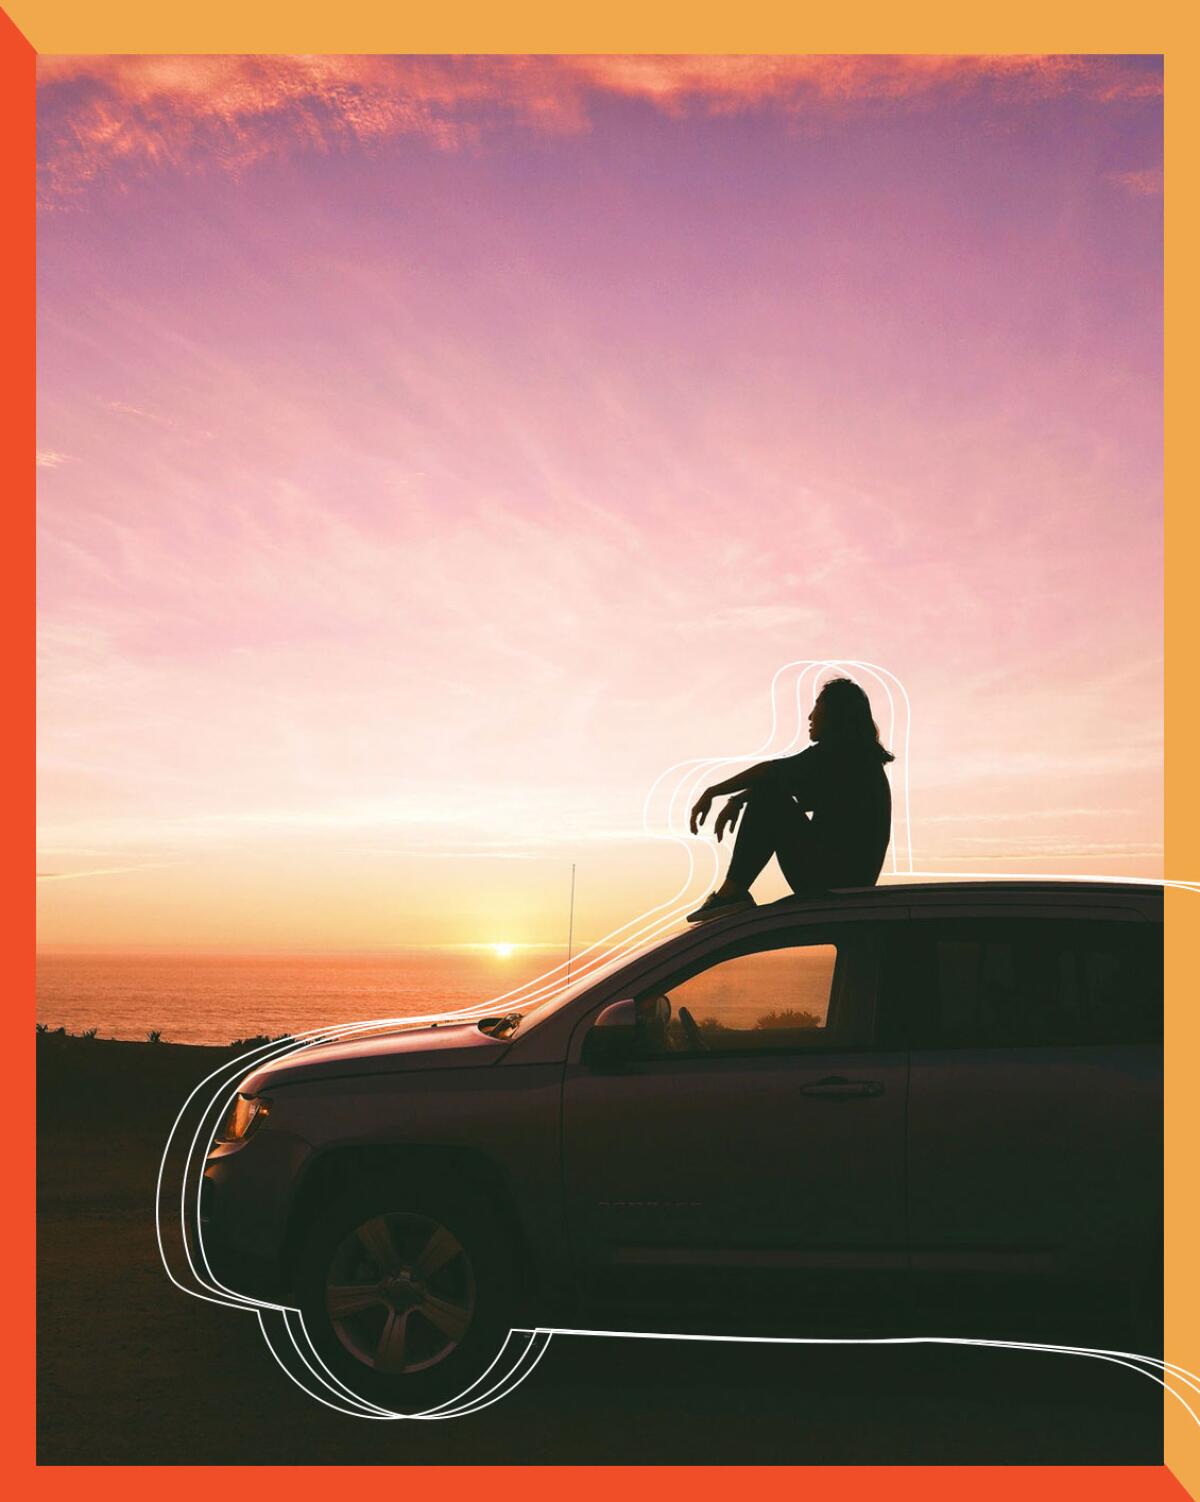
(1036,1109)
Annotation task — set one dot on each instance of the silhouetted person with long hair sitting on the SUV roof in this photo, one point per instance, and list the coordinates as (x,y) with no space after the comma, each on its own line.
(839,780)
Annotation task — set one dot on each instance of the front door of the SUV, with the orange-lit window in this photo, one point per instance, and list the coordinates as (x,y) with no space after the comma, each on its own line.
(759,1129)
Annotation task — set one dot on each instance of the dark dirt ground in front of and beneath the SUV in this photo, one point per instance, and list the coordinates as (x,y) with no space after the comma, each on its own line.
(134,1372)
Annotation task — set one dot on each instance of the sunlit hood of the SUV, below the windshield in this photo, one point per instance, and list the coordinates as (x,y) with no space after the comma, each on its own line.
(442,1046)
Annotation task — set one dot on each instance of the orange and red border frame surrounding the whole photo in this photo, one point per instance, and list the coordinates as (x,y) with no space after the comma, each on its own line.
(370,26)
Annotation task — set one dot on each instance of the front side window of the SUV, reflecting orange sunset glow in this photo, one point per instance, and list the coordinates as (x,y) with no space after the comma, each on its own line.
(788,998)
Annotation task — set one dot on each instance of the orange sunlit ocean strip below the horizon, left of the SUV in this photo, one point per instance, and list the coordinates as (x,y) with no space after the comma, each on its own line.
(216,1000)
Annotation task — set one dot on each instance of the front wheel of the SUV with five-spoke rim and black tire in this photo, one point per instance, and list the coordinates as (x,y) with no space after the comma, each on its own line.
(406,1291)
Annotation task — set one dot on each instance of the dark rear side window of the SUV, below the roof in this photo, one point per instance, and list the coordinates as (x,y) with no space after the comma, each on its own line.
(1001,983)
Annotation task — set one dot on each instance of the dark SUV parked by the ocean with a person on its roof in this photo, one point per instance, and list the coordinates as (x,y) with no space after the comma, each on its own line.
(875,1112)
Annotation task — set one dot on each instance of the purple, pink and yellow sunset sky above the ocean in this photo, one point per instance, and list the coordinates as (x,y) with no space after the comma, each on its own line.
(433,451)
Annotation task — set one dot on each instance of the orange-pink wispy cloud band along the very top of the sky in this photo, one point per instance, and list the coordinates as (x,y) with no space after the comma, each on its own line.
(133,116)
